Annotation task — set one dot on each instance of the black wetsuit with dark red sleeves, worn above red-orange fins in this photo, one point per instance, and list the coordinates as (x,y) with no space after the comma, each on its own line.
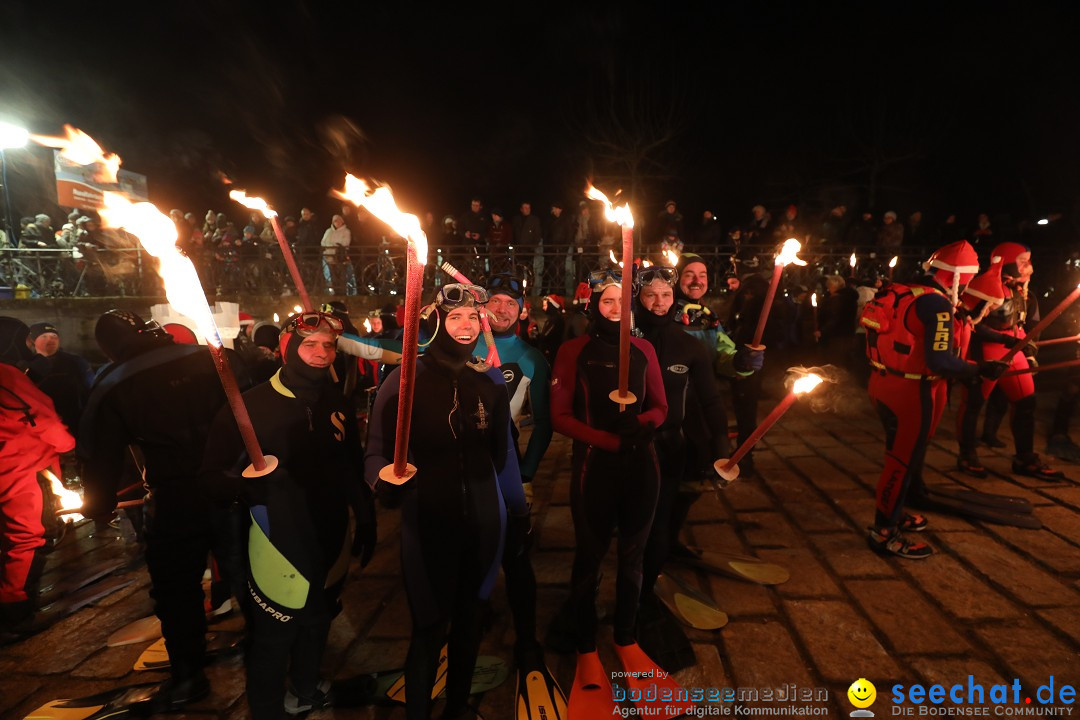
(615,480)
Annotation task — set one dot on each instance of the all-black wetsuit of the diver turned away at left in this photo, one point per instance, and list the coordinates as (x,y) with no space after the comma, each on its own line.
(163,400)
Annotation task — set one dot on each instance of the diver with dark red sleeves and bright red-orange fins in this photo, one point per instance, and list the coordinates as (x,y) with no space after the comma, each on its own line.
(614,487)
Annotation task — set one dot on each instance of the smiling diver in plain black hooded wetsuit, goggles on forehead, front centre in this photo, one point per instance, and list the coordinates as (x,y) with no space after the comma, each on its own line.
(454,510)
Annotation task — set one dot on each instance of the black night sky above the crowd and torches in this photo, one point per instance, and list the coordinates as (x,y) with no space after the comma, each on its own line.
(900,106)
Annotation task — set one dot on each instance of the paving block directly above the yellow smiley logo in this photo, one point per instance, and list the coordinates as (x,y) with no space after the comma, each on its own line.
(839,641)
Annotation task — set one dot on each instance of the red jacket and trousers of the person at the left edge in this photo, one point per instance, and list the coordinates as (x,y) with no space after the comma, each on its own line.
(32,439)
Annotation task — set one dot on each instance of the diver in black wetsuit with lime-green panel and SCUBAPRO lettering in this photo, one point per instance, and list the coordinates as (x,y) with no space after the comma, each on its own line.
(300,538)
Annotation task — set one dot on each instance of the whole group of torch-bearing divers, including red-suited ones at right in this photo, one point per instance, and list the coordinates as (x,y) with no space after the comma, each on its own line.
(282,542)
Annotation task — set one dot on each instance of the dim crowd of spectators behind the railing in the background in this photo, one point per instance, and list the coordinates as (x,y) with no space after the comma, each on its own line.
(552,249)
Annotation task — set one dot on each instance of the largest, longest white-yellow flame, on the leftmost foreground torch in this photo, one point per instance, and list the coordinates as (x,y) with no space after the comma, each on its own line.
(157,234)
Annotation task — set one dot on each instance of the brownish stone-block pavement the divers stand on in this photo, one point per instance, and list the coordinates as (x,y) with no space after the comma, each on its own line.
(996,603)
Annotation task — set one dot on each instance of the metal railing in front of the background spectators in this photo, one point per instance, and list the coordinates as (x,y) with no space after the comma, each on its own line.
(366,270)
